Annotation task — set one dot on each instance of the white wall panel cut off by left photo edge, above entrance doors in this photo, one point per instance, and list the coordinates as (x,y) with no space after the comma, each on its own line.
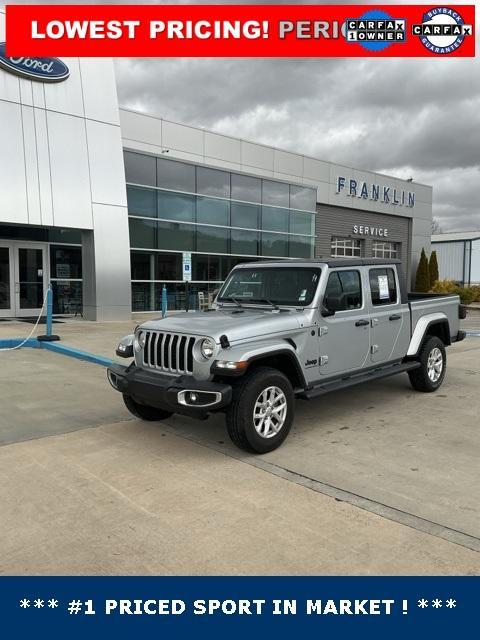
(13,192)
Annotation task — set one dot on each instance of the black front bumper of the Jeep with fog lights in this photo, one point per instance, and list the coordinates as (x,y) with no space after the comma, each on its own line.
(171,394)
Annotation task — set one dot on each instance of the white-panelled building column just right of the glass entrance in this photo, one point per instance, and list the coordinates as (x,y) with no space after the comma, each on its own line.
(106,265)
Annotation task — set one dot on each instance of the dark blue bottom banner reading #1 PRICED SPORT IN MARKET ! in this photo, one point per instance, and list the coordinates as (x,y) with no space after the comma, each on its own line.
(176,607)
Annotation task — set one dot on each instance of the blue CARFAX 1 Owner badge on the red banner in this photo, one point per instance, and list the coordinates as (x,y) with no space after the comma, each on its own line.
(375,30)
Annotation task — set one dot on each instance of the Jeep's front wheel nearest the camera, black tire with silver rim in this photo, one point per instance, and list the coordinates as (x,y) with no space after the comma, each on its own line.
(261,414)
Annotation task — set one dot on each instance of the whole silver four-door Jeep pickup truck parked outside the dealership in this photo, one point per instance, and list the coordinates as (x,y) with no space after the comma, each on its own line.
(283,330)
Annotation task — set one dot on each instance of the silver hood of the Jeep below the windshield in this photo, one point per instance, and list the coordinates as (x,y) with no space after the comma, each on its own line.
(235,324)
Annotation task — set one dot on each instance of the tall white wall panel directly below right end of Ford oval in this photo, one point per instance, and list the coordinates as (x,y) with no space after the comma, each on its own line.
(70,171)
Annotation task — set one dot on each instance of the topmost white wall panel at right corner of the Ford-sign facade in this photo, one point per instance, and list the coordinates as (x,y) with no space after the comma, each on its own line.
(99,89)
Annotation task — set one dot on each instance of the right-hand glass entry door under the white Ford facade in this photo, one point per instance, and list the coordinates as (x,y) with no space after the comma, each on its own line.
(30,278)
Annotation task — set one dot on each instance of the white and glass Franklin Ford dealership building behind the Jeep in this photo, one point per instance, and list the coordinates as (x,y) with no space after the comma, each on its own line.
(111,205)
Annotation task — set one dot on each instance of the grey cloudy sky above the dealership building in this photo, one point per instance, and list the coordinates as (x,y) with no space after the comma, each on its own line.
(411,118)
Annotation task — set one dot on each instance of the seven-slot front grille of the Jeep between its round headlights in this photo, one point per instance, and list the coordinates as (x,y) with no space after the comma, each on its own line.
(170,352)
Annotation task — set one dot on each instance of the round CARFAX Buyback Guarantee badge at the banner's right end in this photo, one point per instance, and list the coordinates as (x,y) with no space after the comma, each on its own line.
(442,30)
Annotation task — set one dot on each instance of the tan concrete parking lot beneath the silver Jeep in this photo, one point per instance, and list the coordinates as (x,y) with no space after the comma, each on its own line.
(373,480)
